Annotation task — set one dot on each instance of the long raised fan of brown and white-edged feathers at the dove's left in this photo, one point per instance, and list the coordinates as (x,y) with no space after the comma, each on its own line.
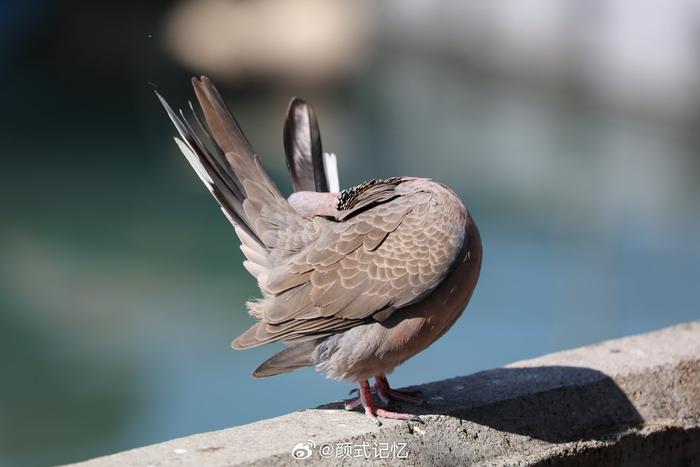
(233,173)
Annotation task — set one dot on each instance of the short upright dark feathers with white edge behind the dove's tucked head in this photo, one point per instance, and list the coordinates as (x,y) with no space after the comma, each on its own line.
(311,169)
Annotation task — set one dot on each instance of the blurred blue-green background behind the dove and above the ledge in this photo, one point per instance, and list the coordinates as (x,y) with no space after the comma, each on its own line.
(568,127)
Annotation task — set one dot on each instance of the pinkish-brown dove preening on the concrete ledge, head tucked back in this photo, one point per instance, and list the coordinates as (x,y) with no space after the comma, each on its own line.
(353,281)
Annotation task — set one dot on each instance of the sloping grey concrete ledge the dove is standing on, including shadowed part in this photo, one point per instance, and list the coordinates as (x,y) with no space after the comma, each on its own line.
(628,401)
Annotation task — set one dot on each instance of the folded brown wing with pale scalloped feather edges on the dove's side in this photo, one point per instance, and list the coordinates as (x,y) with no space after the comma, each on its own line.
(386,253)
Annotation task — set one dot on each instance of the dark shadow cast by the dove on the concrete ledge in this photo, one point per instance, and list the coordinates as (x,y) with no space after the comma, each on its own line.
(552,403)
